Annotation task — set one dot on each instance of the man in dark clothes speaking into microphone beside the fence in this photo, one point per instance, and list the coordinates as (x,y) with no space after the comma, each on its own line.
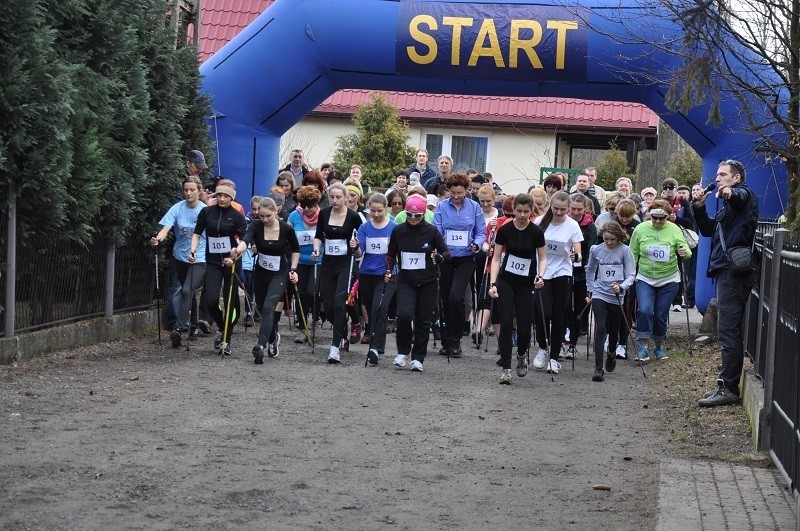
(735,222)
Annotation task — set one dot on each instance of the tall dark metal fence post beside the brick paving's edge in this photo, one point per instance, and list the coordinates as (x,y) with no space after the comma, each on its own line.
(778,241)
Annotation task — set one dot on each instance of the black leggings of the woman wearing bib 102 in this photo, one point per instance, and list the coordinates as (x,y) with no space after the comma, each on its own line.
(514,300)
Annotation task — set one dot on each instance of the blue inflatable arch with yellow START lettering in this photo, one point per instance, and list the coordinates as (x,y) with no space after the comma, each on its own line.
(299,52)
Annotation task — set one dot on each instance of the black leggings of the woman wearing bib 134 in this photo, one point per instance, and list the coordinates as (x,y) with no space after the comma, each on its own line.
(455,277)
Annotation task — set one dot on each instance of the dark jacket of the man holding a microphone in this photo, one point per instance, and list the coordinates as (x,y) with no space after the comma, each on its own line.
(738,218)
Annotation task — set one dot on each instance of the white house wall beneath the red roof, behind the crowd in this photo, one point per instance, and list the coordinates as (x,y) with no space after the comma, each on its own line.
(514,157)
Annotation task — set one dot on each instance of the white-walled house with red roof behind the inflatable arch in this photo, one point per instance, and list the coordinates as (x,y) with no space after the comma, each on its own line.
(512,137)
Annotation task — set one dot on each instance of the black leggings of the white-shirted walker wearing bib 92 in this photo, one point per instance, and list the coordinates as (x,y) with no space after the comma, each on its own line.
(555,295)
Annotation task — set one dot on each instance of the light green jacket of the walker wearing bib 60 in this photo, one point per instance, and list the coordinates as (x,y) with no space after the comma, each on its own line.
(655,251)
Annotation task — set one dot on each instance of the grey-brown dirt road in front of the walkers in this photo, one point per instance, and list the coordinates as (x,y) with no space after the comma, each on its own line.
(137,435)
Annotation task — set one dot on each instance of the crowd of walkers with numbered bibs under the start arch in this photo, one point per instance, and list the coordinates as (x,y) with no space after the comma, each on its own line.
(440,252)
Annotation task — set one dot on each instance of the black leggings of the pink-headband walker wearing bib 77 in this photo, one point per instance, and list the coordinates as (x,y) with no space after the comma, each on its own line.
(417,305)
